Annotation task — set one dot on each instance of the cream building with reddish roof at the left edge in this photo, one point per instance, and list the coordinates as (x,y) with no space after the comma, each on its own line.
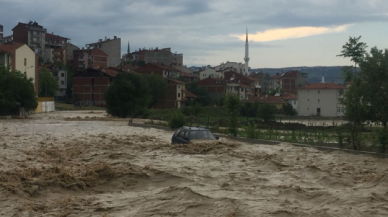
(20,57)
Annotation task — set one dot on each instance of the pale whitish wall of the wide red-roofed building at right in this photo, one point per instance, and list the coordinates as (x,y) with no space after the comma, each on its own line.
(325,99)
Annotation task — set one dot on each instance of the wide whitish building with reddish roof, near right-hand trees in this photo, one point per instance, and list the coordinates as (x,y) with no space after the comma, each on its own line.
(321,99)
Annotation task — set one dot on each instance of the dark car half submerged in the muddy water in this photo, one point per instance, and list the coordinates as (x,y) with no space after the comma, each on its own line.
(185,134)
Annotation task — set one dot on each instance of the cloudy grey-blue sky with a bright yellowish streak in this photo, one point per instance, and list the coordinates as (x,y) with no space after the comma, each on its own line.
(281,32)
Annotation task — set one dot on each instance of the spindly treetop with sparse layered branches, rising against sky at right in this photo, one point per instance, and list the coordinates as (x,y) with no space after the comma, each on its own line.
(355,50)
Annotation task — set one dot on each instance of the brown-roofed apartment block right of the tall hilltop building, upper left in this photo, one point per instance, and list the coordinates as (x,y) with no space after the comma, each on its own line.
(55,48)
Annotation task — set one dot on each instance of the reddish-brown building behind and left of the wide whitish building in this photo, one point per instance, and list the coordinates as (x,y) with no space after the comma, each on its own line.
(289,82)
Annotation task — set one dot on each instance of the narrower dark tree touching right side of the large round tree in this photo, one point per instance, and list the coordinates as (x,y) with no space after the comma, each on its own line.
(158,88)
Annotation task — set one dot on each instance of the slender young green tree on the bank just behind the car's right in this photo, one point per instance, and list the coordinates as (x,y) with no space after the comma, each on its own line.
(233,104)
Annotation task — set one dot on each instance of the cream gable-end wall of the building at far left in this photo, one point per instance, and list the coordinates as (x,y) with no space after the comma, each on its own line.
(24,52)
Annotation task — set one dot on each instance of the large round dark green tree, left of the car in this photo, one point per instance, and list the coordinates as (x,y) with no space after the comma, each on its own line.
(129,95)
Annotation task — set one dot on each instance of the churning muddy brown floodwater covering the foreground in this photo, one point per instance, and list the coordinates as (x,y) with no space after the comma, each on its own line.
(89,164)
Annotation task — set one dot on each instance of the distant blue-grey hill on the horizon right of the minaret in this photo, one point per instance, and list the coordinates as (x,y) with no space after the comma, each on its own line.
(315,73)
